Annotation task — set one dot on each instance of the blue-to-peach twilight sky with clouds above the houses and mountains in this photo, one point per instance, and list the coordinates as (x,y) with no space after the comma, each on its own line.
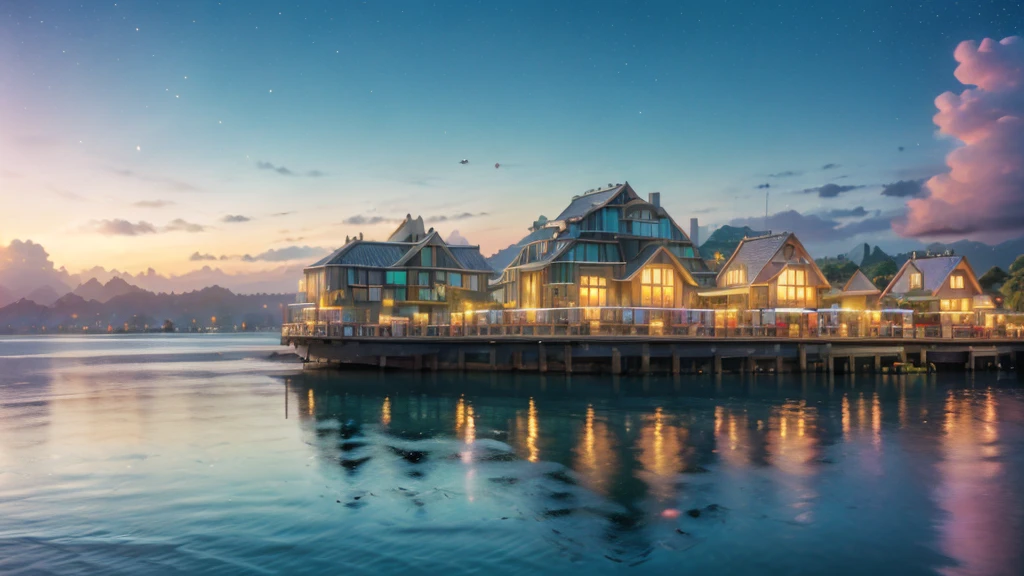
(246,139)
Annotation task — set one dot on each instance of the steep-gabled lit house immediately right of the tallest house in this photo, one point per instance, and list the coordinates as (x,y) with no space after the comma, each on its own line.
(769,272)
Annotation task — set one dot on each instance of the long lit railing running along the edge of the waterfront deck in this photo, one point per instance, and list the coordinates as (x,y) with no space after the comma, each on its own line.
(782,323)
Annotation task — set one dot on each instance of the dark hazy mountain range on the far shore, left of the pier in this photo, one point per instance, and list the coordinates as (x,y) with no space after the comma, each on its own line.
(141,310)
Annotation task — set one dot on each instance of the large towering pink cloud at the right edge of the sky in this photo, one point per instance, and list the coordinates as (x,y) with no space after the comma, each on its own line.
(983,195)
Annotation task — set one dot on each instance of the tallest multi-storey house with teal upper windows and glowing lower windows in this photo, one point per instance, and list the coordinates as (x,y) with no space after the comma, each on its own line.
(608,249)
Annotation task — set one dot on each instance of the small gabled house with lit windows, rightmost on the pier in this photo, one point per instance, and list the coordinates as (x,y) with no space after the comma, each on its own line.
(945,283)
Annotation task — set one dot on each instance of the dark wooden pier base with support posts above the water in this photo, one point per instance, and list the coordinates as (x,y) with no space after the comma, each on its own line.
(645,355)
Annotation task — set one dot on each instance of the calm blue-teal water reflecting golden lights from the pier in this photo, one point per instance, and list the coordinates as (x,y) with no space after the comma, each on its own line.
(200,455)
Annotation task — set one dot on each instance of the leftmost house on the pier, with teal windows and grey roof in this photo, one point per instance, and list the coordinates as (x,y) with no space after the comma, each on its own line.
(413,275)
